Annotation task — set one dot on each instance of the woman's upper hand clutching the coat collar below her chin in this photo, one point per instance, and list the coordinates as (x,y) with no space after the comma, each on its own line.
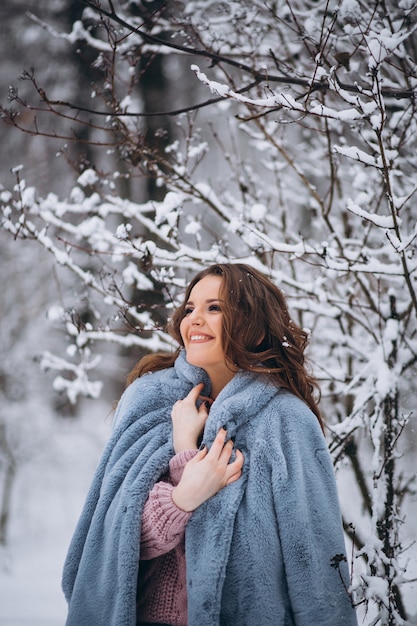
(188,421)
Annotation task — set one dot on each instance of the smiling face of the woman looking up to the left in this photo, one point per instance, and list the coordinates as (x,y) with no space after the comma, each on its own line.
(202,329)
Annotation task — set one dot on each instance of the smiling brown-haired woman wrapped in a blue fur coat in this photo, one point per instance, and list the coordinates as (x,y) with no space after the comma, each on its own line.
(215,501)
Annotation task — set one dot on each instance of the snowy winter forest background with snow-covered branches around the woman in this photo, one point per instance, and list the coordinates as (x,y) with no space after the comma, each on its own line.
(143,140)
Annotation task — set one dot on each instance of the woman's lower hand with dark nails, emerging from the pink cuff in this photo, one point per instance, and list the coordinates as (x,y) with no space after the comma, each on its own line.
(207,473)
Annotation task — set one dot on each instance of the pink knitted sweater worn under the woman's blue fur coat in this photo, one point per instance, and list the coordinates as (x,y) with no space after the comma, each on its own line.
(162,591)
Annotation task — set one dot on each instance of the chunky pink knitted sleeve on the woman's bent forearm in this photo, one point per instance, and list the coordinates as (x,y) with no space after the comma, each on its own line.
(163,523)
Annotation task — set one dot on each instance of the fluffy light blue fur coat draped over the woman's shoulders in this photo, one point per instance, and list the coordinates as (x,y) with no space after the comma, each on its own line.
(259,553)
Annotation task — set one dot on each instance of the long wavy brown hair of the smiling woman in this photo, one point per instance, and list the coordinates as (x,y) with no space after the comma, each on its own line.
(258,333)
